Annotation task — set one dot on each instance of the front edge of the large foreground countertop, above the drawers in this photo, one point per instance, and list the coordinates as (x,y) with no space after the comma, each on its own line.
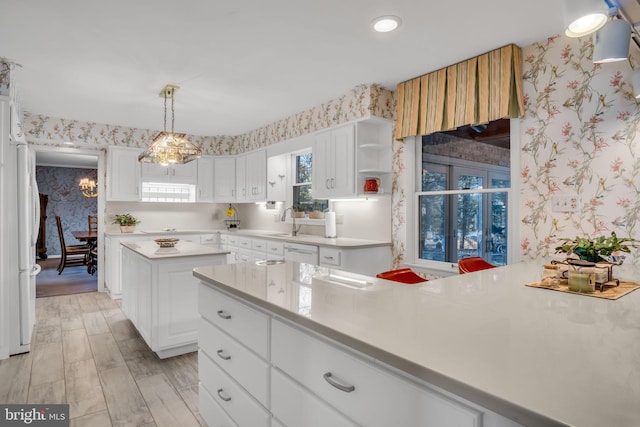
(500,406)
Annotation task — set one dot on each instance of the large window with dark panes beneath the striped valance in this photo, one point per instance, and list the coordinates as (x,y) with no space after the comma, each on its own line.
(462,204)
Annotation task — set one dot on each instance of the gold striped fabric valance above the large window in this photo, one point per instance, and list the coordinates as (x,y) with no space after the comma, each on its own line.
(479,90)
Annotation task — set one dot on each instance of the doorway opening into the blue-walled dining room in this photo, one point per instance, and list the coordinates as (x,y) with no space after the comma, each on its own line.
(58,172)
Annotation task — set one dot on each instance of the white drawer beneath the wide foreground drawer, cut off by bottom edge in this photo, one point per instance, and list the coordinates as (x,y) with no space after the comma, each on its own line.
(295,406)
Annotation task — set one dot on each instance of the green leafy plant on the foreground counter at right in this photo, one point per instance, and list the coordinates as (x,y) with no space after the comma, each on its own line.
(597,249)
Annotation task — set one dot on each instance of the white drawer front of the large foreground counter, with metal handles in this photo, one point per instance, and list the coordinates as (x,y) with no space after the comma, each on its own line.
(256,369)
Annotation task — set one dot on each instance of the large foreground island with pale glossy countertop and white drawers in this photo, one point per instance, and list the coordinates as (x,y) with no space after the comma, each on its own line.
(486,349)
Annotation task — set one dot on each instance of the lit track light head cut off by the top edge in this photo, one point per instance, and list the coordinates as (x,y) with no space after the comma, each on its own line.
(583,17)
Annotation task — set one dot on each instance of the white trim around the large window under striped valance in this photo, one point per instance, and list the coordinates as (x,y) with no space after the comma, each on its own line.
(413,183)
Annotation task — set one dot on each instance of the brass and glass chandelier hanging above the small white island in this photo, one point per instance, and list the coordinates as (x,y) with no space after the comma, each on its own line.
(170,147)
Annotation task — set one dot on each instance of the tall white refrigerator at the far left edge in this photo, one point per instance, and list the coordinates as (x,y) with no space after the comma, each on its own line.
(20,217)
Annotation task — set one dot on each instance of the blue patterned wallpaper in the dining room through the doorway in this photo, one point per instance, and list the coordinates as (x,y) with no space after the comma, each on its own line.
(65,200)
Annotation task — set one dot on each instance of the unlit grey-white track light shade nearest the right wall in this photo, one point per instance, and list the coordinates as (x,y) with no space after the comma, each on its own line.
(611,42)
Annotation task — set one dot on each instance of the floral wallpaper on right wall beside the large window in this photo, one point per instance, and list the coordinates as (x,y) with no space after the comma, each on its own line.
(578,139)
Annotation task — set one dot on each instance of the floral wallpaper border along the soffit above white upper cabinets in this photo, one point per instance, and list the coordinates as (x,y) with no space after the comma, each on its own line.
(361,102)
